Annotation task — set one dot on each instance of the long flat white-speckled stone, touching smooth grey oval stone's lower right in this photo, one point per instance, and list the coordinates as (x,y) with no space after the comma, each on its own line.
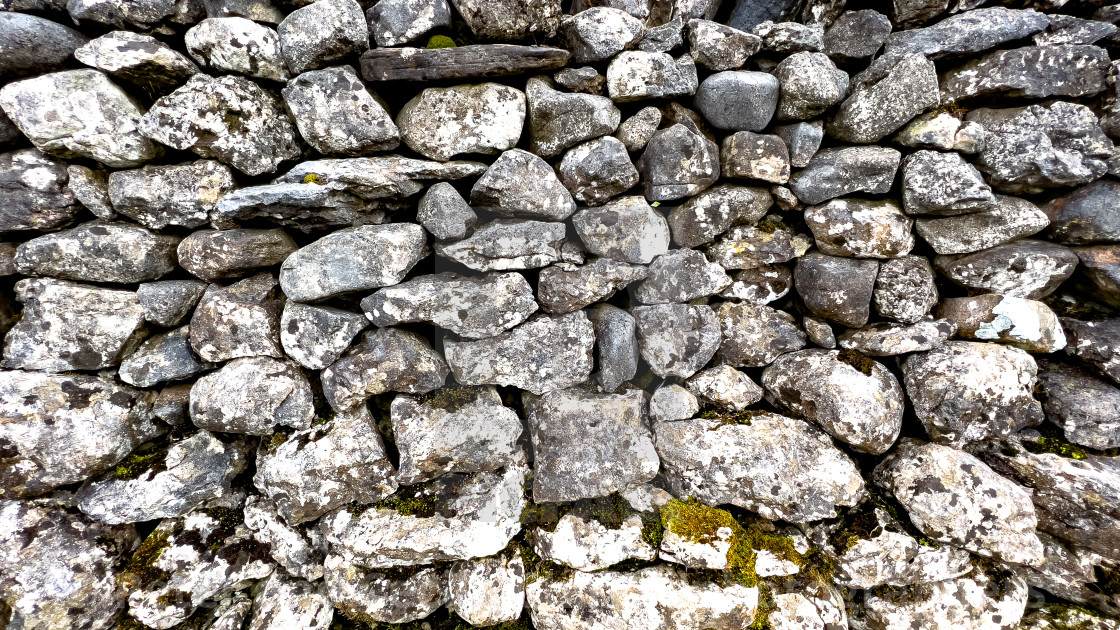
(470,308)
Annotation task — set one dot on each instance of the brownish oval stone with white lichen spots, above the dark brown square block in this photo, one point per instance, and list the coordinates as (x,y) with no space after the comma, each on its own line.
(861,228)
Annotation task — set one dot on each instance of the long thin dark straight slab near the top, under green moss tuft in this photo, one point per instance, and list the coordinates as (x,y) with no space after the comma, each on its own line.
(466,62)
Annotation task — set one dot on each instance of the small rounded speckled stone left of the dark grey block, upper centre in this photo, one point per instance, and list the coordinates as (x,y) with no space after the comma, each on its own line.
(598,171)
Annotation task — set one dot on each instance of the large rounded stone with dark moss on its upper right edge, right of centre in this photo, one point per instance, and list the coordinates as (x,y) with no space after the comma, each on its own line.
(853,399)
